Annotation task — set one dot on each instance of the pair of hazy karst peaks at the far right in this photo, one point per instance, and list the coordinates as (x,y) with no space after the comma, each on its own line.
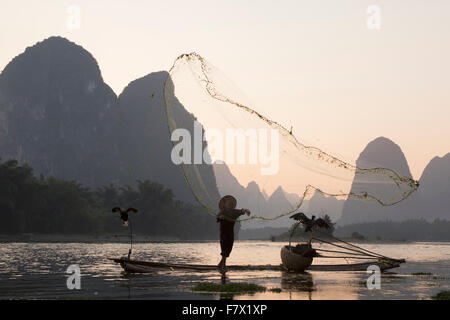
(430,201)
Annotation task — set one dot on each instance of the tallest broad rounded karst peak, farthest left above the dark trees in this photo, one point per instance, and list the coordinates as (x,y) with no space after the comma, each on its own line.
(56,113)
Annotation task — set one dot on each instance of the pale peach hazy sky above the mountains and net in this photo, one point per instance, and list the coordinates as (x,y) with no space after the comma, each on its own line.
(314,65)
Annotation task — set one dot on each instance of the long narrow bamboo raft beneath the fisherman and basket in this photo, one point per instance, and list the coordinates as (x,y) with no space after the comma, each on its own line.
(136,266)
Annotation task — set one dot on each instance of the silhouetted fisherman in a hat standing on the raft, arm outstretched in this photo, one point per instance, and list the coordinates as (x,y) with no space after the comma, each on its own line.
(227,218)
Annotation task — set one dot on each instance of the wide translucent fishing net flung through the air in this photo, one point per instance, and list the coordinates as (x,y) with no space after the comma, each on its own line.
(261,163)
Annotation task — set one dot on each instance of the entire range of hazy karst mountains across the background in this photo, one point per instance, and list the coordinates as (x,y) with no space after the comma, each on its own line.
(58,115)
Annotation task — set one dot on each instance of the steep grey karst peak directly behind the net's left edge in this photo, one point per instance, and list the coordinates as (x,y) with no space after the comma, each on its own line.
(144,138)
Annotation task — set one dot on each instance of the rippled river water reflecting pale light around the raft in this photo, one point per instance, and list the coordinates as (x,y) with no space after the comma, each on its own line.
(38,271)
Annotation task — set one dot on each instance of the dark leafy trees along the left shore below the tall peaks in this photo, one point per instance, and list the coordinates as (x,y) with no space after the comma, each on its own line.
(47,205)
